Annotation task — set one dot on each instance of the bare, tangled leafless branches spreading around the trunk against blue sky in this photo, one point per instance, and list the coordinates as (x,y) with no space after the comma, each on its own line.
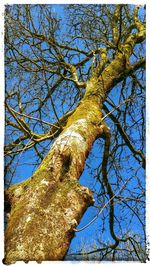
(52,53)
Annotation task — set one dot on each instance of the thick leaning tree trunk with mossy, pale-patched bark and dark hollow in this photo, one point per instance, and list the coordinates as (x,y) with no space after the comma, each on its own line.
(46,208)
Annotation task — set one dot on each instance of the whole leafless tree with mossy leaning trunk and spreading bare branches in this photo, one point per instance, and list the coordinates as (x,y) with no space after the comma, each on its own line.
(64,77)
